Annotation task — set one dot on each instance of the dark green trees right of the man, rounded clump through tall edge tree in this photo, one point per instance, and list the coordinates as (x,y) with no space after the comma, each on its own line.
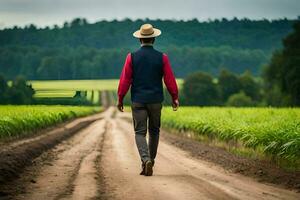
(278,86)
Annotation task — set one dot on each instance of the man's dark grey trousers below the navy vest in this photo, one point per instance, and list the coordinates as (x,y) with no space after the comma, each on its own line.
(143,115)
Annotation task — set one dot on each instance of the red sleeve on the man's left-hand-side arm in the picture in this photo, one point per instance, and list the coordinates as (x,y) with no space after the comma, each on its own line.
(125,78)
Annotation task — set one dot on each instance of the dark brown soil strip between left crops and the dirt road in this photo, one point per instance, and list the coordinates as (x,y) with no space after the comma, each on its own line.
(16,154)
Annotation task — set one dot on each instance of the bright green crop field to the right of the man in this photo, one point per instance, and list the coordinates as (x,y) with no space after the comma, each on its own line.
(276,131)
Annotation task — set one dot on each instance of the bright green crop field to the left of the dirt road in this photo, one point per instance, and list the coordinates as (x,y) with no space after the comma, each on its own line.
(20,120)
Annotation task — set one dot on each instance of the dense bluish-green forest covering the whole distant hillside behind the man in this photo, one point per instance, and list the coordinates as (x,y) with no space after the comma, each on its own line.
(80,50)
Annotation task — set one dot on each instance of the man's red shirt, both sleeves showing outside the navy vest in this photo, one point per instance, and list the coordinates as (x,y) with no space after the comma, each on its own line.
(126,78)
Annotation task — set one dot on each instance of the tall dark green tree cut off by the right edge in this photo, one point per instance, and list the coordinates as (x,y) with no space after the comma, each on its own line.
(283,72)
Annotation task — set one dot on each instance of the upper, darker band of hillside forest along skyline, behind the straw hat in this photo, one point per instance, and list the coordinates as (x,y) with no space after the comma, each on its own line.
(237,33)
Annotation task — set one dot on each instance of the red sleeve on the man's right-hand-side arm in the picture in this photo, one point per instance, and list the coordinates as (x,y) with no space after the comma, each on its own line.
(169,78)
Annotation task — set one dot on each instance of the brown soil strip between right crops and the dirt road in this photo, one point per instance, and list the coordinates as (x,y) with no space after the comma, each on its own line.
(263,171)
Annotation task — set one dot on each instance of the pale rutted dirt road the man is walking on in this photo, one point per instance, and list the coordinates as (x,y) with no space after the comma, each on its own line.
(101,162)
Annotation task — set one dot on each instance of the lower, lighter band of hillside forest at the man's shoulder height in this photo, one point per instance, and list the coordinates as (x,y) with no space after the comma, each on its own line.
(90,63)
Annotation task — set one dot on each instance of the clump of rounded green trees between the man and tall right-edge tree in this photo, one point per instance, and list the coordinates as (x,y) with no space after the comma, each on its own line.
(229,89)
